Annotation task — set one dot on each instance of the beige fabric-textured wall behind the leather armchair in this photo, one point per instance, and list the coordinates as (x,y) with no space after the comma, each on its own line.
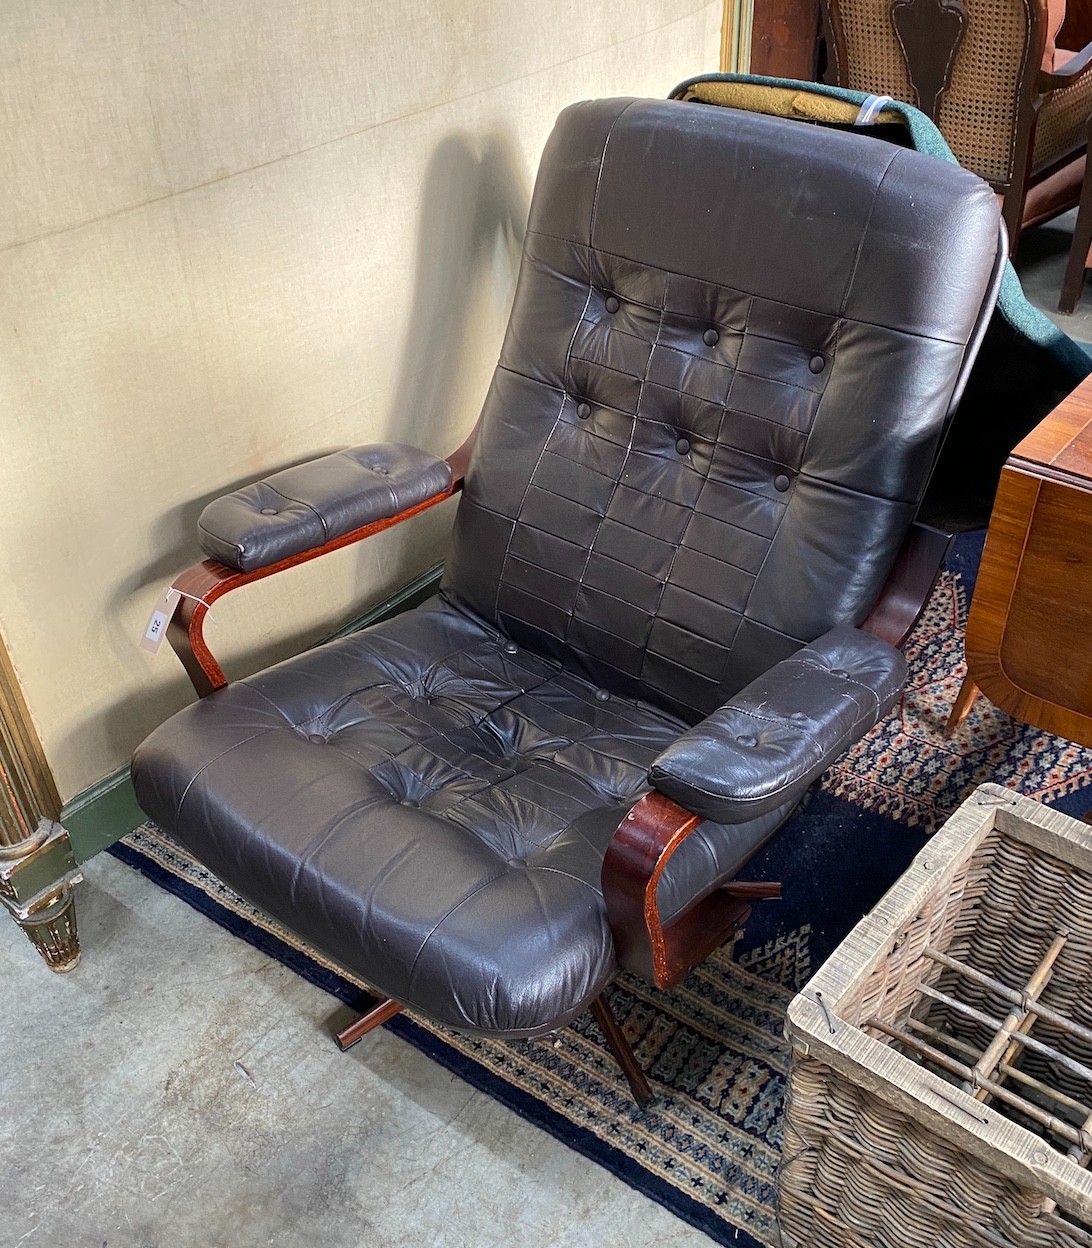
(234,236)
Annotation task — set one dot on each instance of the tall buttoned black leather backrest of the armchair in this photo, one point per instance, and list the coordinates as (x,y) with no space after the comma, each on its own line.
(729,360)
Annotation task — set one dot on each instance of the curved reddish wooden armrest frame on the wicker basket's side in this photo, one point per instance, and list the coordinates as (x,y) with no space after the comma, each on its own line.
(636,859)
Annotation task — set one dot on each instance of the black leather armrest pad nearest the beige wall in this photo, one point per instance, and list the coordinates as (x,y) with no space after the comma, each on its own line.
(313,504)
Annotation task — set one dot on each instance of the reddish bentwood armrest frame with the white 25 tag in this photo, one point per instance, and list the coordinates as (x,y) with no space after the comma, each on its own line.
(204,583)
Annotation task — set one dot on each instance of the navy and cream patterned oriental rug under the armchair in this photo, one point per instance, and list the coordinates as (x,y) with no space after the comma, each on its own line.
(709,1146)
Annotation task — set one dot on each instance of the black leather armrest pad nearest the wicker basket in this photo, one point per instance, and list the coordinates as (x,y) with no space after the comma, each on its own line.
(779,734)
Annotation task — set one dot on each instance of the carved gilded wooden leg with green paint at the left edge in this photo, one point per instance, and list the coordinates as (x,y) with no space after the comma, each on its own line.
(38,868)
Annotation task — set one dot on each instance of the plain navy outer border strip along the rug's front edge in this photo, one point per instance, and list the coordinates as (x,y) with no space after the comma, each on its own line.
(522,1104)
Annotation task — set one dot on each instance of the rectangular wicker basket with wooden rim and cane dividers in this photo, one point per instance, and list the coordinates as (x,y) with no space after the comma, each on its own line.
(942,1081)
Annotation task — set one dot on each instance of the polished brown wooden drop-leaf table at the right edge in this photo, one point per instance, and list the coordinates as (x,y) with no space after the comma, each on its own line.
(1030,630)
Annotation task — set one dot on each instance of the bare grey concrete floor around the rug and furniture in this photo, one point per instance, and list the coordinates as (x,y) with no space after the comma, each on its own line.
(129,1125)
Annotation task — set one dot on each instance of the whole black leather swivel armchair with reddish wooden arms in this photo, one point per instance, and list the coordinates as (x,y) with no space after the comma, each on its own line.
(734,348)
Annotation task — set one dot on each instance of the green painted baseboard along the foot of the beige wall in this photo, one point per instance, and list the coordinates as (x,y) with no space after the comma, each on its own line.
(108,811)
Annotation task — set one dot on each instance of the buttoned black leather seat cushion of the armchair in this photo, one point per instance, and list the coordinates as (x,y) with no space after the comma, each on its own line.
(431,804)
